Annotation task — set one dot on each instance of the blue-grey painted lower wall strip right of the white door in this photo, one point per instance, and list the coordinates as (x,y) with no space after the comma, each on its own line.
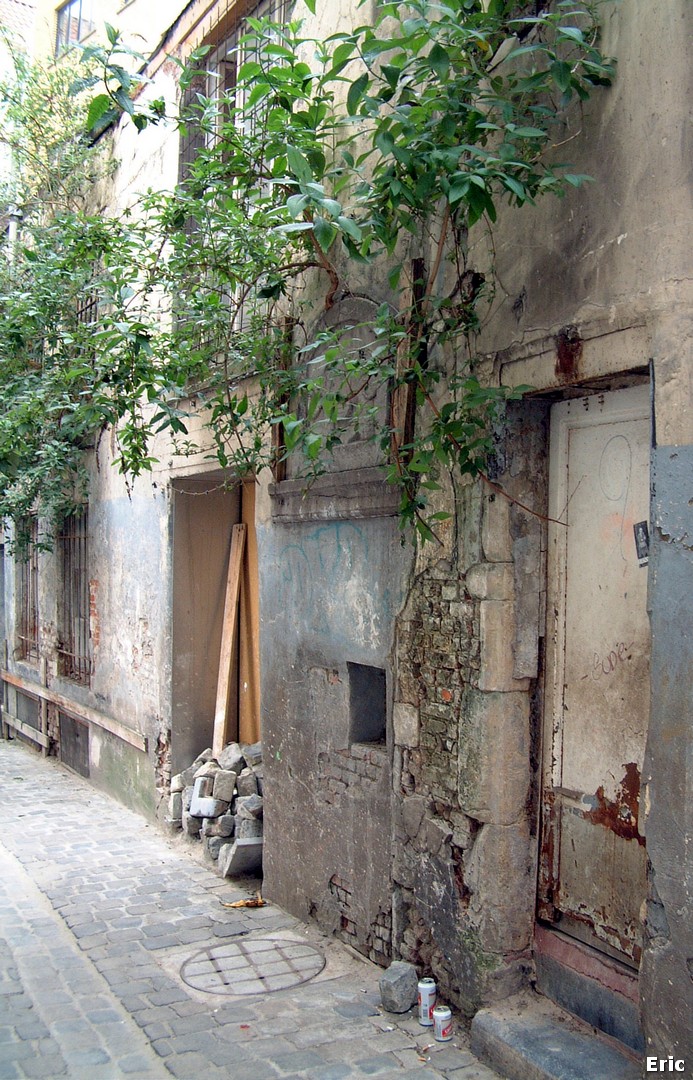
(668,966)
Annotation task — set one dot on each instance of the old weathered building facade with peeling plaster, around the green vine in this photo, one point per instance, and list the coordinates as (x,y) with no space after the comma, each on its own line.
(477,752)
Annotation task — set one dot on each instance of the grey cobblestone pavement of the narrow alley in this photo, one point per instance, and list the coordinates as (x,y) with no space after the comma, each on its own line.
(100,911)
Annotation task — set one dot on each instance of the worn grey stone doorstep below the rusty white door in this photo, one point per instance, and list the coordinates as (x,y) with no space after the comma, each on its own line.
(529,1038)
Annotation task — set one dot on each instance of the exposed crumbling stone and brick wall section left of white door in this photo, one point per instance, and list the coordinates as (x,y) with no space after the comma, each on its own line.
(465,819)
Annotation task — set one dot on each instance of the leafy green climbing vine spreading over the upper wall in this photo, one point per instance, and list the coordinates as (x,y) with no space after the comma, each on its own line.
(372,153)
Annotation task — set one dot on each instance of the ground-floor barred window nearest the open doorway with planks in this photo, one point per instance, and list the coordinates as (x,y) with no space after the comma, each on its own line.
(74,610)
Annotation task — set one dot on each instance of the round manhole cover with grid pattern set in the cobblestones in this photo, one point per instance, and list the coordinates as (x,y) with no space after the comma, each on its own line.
(253,966)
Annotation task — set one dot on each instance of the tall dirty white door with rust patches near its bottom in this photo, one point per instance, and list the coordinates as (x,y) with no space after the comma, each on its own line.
(593,860)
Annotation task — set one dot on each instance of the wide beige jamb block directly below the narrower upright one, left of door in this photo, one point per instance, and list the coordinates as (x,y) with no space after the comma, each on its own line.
(494,758)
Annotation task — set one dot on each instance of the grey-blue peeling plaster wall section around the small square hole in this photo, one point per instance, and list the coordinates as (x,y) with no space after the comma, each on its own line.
(330,591)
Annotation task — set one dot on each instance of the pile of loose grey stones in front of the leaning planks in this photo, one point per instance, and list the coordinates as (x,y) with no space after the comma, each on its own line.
(221,802)
